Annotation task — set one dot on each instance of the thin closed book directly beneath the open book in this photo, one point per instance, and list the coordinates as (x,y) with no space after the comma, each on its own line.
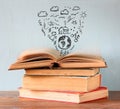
(63,72)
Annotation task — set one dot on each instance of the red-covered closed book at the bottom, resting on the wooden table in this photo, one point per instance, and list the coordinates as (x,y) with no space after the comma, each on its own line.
(73,97)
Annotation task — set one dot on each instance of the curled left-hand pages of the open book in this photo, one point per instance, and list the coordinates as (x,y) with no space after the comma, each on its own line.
(39,54)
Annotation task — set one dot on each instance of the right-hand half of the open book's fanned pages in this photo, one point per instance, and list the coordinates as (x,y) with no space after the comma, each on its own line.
(81,61)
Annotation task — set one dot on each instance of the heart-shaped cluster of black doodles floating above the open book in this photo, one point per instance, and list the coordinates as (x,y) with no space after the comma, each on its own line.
(63,26)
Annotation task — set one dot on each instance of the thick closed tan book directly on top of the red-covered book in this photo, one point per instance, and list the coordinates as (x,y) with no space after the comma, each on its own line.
(62,83)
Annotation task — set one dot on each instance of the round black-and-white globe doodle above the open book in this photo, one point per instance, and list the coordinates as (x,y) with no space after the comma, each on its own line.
(64,42)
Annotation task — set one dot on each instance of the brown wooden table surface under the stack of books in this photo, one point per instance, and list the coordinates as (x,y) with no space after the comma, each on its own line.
(10,100)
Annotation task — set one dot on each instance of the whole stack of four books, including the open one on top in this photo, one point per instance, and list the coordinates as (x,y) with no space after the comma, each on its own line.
(72,78)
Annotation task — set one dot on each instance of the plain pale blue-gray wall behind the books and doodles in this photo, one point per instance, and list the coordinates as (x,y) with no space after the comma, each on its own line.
(19,30)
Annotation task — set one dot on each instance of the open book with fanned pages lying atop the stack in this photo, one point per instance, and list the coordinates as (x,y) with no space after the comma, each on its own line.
(51,58)
